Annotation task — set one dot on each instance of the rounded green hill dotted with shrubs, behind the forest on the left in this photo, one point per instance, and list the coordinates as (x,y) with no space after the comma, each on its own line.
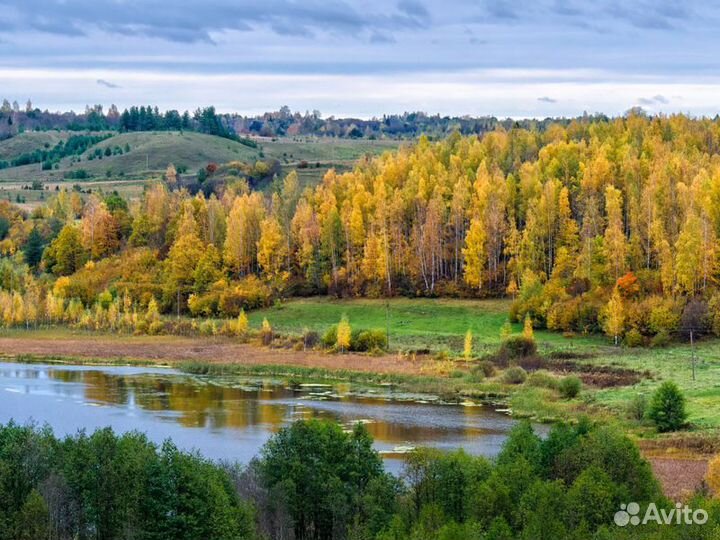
(141,152)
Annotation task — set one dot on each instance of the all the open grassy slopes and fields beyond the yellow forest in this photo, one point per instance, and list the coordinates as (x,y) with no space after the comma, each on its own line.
(151,152)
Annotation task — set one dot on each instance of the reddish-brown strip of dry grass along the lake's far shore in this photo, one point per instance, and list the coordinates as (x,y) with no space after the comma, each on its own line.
(169,349)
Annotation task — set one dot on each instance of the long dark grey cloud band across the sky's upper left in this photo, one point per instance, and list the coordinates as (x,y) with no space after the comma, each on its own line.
(197,20)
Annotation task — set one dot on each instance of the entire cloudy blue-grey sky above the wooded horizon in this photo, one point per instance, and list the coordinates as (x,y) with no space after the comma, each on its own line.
(365,58)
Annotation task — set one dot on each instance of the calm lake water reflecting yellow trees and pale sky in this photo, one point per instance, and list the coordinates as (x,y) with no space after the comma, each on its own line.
(232,417)
